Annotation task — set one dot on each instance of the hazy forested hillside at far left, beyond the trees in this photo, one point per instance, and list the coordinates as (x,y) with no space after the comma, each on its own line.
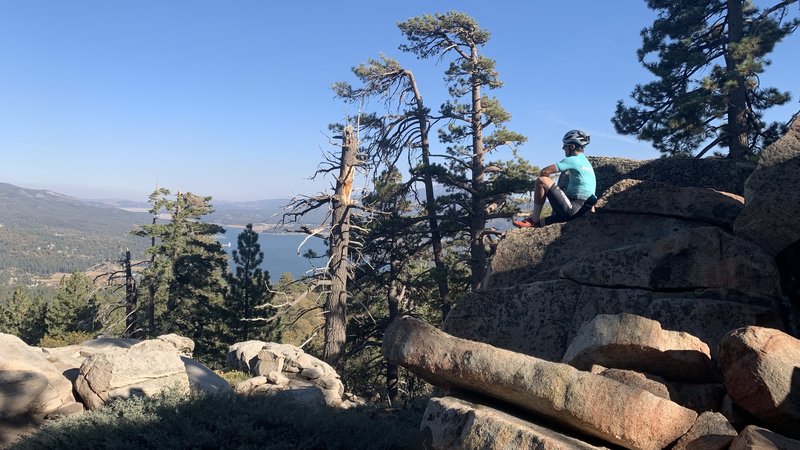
(42,232)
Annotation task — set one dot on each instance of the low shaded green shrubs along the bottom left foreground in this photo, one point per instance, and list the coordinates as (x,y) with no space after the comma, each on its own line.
(171,421)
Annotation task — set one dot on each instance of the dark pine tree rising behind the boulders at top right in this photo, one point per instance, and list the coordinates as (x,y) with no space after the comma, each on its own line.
(707,56)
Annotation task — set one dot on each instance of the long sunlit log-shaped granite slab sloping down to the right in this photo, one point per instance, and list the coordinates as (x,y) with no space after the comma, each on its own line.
(589,403)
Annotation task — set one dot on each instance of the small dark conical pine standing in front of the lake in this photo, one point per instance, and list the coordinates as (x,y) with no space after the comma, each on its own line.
(249,291)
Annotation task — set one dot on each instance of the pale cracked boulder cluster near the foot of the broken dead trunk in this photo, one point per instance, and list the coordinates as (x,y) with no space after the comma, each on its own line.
(284,367)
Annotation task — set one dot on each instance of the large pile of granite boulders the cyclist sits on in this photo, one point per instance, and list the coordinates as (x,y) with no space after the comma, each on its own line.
(666,319)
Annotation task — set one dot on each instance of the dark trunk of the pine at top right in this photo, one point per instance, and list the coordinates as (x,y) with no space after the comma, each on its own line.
(737,101)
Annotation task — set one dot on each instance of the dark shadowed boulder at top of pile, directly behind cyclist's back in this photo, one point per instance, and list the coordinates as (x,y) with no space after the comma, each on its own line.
(724,175)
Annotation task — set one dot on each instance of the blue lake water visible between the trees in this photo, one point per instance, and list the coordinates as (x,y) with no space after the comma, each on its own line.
(280,252)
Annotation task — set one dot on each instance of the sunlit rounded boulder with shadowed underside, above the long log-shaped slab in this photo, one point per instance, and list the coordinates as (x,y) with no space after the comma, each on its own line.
(628,341)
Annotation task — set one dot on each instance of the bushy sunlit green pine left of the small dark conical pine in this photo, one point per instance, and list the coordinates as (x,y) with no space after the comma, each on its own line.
(186,275)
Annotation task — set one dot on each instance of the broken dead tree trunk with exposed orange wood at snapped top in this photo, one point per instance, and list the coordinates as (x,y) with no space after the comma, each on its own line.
(336,304)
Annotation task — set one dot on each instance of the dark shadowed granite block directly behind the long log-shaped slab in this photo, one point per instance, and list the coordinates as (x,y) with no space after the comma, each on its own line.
(541,319)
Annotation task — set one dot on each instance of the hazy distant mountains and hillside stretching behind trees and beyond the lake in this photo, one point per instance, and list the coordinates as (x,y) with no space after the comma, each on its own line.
(43,232)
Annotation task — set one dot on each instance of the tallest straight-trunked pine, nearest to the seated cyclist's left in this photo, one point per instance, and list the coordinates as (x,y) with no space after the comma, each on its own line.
(479,188)
